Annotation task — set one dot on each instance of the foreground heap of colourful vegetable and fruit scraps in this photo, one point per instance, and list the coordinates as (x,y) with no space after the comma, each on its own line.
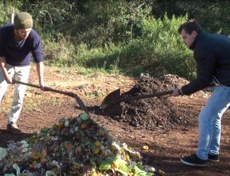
(74,146)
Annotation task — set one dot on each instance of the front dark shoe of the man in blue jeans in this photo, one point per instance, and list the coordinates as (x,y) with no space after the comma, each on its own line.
(194,160)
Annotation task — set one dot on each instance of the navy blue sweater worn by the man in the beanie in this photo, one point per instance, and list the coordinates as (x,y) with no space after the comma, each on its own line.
(19,53)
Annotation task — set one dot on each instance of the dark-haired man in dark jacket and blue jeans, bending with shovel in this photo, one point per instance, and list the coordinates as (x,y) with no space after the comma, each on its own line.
(212,56)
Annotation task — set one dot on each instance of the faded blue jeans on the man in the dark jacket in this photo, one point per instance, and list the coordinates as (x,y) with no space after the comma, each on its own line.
(210,122)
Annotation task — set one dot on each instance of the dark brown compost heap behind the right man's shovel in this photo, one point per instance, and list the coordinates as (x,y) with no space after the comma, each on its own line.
(157,112)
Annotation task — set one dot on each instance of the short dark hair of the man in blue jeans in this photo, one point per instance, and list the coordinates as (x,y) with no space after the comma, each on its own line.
(189,26)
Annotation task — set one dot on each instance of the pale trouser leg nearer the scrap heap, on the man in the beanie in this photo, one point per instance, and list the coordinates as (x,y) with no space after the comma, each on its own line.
(21,74)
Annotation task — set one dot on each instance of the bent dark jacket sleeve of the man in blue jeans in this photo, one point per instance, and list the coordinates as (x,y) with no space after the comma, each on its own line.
(205,69)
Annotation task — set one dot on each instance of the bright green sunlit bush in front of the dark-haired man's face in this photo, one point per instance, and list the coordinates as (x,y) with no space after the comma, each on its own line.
(158,51)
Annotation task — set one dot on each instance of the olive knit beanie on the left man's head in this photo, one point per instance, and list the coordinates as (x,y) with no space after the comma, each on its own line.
(23,20)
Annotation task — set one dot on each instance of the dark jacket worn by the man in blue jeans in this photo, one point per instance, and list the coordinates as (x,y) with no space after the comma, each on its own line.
(212,55)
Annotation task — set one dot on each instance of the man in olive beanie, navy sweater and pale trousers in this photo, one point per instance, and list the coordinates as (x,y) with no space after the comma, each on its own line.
(18,43)
